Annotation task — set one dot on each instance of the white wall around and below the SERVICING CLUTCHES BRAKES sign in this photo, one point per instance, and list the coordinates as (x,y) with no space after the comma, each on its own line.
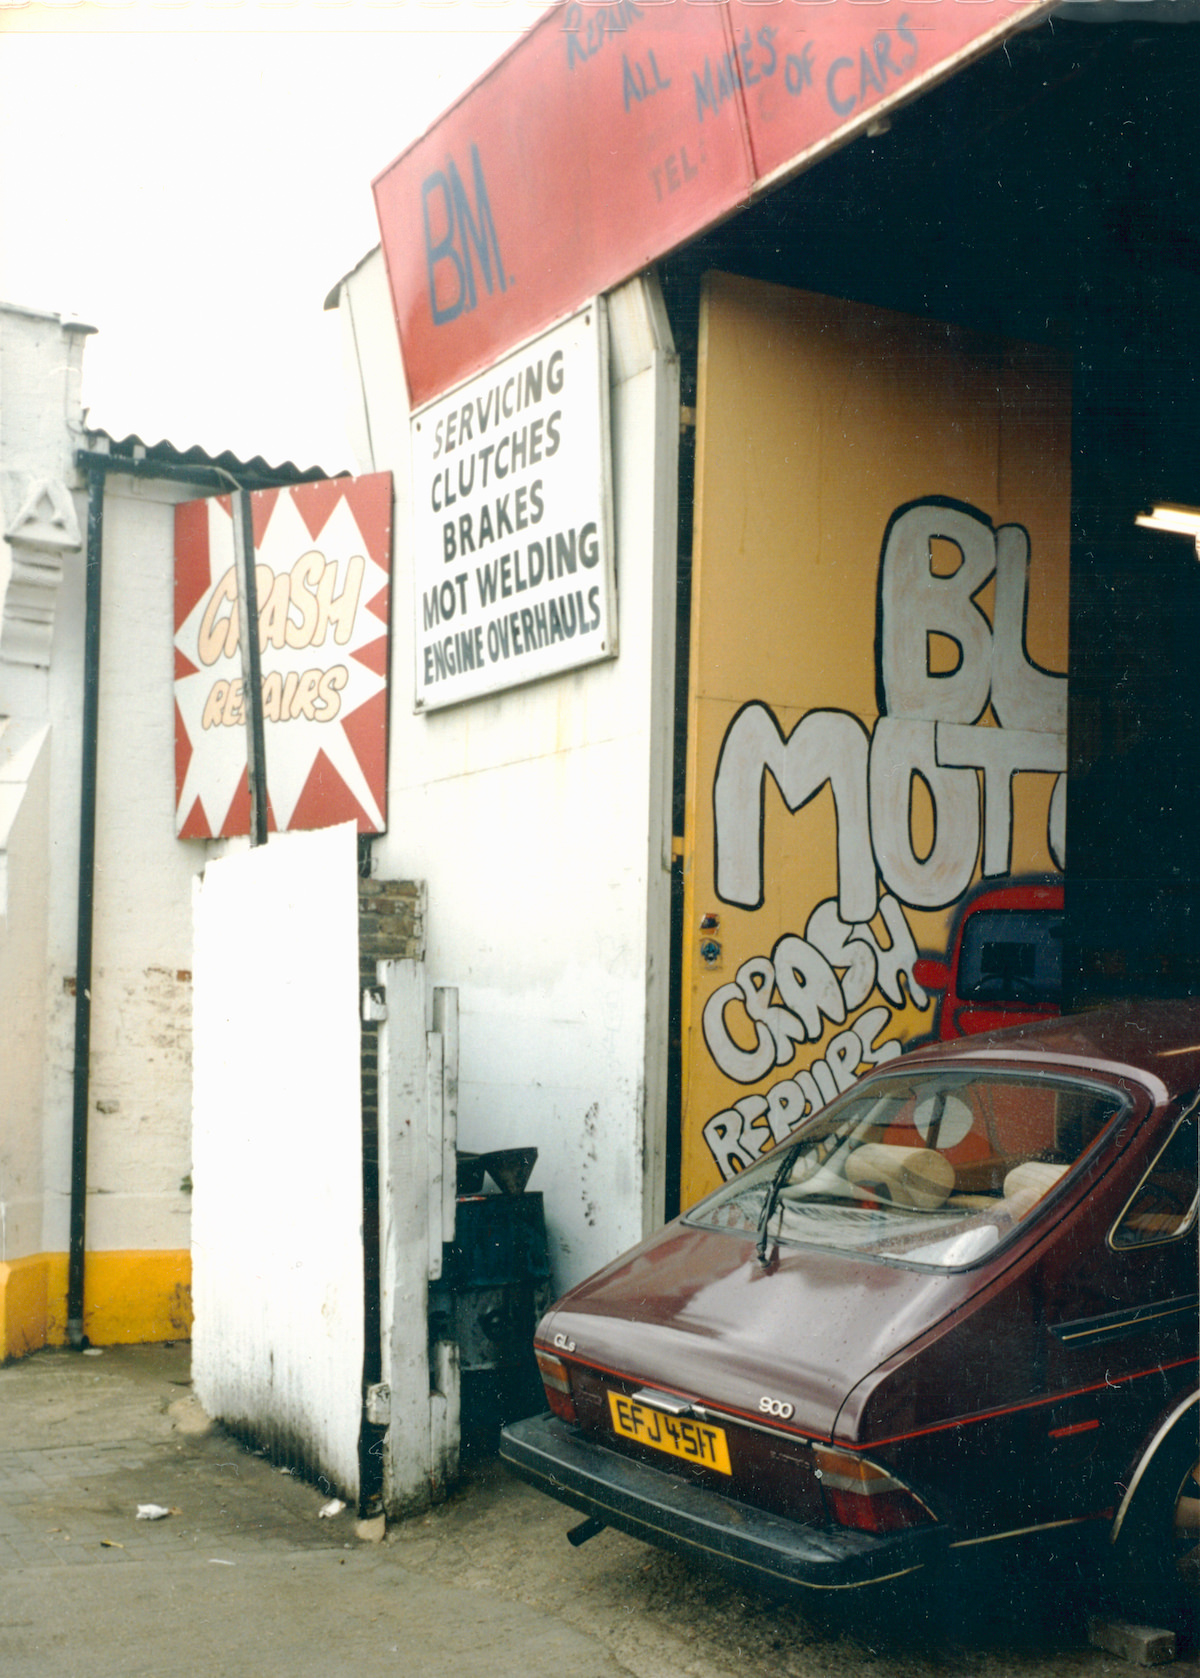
(541,823)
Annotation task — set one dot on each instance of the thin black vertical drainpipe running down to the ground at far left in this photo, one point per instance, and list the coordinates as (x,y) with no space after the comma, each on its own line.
(86,895)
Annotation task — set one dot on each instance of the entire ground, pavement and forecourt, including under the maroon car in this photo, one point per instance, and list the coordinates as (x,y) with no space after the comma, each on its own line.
(244,1582)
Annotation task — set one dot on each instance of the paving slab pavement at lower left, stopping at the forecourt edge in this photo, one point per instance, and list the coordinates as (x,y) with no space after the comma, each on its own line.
(243,1580)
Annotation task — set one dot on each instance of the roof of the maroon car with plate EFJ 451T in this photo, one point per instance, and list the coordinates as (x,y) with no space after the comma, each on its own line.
(1157,1043)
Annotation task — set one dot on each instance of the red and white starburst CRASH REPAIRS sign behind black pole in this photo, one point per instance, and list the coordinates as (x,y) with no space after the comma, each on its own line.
(323,568)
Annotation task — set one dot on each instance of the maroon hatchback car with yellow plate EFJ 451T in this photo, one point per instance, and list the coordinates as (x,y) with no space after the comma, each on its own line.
(952,1311)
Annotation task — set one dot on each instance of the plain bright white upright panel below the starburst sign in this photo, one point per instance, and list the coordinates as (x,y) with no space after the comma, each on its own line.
(278,1251)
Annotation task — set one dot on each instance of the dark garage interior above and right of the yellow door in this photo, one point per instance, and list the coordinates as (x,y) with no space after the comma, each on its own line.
(1050,194)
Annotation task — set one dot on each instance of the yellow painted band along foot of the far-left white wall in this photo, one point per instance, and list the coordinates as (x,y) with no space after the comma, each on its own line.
(130,1298)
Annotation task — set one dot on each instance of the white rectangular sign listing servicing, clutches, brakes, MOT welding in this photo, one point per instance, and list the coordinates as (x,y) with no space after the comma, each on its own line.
(513,548)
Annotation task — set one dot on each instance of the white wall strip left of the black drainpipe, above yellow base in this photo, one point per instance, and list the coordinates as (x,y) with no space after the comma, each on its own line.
(41,365)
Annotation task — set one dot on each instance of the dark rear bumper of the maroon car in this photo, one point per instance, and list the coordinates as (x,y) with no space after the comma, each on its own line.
(754,1546)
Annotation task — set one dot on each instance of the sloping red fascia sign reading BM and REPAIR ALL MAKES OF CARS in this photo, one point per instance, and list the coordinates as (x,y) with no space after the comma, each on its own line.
(610,135)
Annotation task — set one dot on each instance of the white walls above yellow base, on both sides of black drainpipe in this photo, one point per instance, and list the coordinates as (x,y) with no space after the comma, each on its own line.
(142,993)
